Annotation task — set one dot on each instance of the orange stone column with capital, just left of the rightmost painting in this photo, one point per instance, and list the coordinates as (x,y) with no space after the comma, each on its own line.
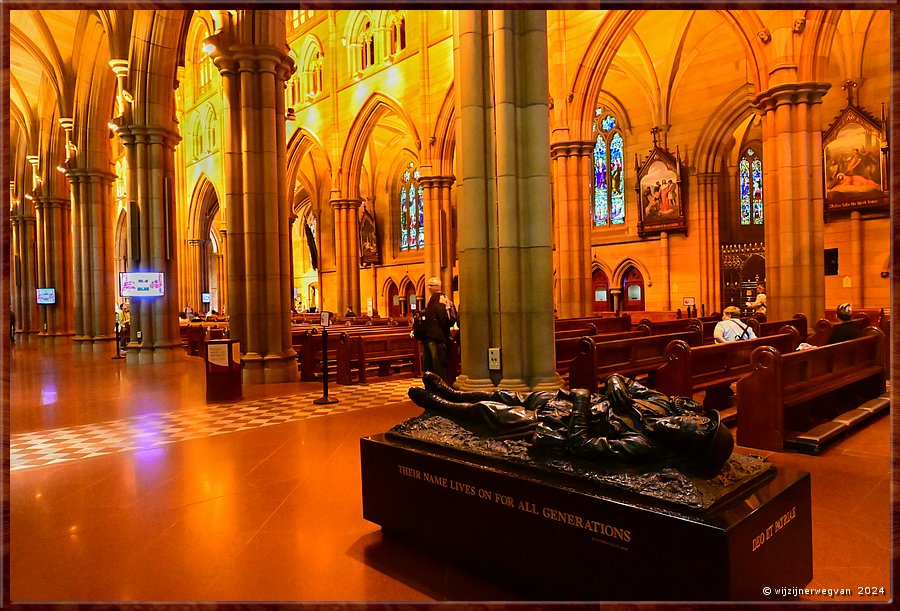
(792,183)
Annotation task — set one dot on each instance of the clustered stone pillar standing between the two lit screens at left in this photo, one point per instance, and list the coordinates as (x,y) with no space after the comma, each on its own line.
(91,194)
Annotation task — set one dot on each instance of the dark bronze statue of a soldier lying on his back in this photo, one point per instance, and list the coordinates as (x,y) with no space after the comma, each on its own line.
(629,422)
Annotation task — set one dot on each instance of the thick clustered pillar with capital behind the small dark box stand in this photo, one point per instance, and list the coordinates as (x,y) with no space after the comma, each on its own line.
(251,54)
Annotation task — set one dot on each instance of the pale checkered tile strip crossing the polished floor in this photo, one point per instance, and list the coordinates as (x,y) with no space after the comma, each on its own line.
(48,447)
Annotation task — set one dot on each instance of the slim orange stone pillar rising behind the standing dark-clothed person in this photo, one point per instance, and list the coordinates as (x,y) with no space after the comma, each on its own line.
(438,243)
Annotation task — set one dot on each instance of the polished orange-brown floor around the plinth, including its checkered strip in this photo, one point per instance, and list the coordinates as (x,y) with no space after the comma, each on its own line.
(125,485)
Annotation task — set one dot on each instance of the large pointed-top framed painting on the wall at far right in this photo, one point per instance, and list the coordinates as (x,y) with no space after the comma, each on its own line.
(854,163)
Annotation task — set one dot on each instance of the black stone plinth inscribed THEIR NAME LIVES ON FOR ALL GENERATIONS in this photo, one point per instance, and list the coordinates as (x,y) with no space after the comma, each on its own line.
(553,540)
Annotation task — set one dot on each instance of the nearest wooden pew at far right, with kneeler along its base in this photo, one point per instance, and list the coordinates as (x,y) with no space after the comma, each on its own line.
(785,393)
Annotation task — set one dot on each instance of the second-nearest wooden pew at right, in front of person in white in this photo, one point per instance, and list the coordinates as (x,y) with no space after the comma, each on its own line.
(712,368)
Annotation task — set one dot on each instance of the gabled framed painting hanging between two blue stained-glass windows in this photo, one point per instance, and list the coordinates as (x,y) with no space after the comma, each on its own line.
(661,194)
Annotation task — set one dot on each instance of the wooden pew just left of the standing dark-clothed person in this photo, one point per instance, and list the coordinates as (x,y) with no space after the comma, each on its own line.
(386,350)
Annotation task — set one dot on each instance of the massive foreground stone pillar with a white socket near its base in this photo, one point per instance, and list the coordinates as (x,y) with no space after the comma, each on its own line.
(504,199)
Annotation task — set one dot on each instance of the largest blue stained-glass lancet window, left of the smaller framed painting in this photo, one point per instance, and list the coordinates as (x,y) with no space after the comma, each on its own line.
(609,170)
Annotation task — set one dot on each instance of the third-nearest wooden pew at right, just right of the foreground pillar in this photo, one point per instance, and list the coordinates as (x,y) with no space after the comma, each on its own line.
(630,357)
